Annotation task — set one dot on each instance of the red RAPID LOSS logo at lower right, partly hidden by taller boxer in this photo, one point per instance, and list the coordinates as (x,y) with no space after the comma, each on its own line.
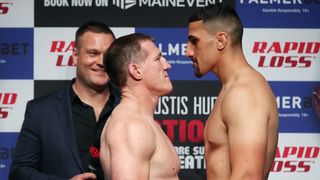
(295,159)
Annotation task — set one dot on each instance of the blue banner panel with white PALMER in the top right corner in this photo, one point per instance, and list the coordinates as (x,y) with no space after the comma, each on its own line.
(279,14)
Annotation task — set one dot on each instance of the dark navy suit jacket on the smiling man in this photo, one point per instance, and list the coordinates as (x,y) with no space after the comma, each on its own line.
(47,146)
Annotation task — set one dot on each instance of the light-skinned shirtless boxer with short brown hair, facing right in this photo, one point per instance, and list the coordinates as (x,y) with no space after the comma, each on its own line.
(133,145)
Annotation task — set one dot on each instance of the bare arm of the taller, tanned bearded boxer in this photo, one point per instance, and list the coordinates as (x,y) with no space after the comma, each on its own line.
(244,113)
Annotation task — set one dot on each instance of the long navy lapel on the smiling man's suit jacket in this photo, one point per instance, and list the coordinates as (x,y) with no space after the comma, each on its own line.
(64,112)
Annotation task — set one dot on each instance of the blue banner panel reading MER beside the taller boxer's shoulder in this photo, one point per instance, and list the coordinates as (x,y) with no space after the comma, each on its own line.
(297,111)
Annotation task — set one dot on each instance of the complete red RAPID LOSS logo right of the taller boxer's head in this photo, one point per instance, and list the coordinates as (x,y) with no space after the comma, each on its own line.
(286,54)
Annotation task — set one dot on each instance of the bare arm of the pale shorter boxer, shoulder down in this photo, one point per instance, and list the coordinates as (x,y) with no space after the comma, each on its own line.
(131,144)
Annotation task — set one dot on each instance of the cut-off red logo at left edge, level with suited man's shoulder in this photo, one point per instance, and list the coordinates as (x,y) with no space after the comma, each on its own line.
(7,100)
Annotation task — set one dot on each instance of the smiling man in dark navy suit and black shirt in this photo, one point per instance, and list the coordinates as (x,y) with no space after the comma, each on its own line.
(61,129)
